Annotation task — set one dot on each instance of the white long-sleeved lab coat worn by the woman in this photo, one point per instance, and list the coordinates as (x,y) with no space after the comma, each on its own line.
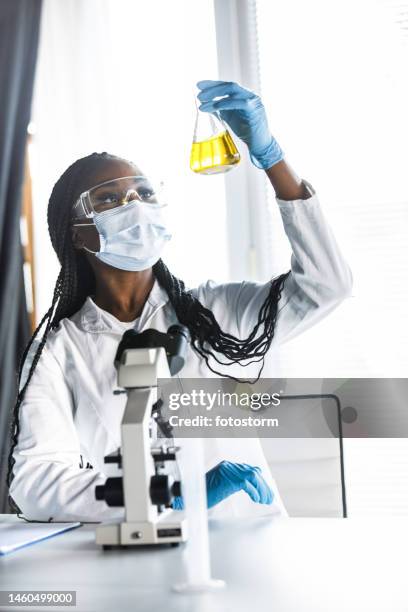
(70,419)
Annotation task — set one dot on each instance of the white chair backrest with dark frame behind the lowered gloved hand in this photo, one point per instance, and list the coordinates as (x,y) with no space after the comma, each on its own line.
(308,474)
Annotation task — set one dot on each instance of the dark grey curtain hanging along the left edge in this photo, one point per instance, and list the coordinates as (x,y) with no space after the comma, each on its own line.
(19,33)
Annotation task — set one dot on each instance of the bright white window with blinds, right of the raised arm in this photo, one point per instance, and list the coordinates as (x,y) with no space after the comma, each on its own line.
(335,84)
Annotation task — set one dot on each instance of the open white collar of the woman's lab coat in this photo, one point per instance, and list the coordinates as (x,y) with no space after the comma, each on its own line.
(96,320)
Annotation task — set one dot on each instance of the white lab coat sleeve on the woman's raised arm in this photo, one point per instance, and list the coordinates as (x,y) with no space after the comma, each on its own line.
(319,280)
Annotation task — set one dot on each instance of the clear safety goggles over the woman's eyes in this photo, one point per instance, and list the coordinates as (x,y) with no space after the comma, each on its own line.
(116,193)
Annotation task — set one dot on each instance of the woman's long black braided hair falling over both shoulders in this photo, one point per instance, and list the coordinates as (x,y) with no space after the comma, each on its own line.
(76,281)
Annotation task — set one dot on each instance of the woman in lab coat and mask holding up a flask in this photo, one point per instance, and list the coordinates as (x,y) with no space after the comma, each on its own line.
(112,278)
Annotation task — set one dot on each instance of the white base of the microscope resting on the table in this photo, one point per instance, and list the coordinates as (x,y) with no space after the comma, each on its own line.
(169,528)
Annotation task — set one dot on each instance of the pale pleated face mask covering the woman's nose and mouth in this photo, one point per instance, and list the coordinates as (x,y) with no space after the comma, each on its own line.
(131,237)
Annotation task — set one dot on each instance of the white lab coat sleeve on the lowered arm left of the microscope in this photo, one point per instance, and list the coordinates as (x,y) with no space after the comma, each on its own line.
(48,481)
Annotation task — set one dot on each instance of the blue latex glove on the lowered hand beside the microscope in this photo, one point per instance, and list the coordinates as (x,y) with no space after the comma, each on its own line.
(227,478)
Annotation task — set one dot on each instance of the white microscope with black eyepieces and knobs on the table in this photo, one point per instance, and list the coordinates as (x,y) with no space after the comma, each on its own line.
(145,490)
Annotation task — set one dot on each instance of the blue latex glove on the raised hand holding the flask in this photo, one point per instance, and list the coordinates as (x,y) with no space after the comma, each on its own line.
(243,111)
